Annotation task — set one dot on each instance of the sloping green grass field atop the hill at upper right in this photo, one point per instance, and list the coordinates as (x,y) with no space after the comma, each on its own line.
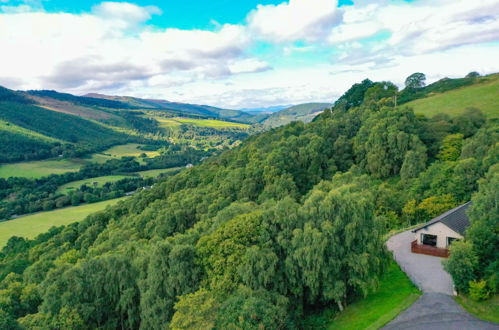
(484,96)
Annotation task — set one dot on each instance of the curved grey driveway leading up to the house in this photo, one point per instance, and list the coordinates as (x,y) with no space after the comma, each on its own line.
(436,309)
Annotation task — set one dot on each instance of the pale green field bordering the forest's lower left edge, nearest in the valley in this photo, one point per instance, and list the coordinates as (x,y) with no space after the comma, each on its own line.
(32,225)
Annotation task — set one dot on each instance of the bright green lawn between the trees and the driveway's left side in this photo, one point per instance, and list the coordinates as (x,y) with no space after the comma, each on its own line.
(395,293)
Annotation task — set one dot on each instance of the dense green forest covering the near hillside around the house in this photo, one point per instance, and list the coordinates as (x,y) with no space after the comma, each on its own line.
(293,219)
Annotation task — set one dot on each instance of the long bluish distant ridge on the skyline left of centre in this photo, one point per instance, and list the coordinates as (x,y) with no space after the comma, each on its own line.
(180,108)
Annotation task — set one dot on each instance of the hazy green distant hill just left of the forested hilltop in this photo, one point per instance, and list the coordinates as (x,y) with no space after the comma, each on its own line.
(302,112)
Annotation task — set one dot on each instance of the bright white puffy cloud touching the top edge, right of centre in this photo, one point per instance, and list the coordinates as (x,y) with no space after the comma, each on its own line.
(308,20)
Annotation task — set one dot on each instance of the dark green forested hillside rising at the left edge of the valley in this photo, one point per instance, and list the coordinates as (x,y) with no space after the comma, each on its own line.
(30,129)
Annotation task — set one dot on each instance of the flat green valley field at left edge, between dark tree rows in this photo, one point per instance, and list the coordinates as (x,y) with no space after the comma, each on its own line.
(40,168)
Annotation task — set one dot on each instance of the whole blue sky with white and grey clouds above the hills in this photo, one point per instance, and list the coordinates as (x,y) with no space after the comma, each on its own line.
(241,53)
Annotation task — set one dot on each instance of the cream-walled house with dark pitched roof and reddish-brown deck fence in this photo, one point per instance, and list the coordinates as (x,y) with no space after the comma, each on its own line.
(435,237)
